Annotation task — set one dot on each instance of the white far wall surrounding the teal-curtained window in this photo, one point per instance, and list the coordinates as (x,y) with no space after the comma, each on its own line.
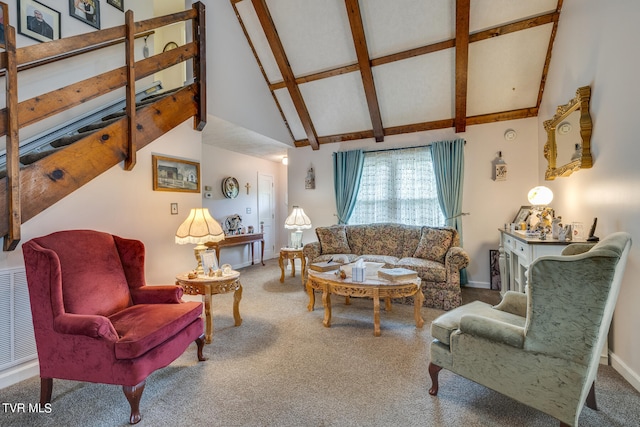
(490,203)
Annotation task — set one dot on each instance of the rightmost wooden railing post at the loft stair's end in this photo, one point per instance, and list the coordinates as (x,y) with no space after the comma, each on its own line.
(199,65)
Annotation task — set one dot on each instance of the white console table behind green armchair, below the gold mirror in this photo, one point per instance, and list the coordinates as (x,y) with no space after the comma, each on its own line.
(517,251)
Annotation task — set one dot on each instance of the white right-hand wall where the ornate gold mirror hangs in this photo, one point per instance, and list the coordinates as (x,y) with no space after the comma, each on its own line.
(591,48)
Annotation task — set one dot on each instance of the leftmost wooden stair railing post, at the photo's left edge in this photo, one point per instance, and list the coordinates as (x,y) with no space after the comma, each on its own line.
(14,217)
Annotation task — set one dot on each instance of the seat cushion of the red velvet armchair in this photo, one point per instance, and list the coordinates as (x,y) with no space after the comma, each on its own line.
(143,327)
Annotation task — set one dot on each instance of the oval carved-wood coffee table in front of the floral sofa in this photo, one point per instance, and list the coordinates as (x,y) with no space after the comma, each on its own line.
(372,287)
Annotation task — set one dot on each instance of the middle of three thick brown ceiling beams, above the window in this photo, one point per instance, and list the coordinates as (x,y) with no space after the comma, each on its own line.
(362,52)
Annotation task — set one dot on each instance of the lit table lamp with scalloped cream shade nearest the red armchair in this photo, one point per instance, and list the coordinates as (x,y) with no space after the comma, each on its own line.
(198,229)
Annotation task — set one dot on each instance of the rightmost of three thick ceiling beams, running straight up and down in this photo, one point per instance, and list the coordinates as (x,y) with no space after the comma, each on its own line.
(462,62)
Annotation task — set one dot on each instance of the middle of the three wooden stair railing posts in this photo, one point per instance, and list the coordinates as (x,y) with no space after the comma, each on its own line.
(130,27)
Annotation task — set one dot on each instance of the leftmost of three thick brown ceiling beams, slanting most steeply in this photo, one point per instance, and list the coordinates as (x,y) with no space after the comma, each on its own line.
(273,39)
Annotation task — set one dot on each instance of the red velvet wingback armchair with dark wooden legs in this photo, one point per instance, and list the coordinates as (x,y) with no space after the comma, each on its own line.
(96,320)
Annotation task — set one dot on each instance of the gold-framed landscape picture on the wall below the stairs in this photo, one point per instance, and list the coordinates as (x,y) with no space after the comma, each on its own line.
(171,174)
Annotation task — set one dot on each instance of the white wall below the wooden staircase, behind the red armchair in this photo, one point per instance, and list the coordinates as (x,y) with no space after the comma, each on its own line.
(124,203)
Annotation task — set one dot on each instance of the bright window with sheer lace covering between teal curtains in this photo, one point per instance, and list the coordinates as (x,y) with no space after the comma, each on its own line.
(398,186)
